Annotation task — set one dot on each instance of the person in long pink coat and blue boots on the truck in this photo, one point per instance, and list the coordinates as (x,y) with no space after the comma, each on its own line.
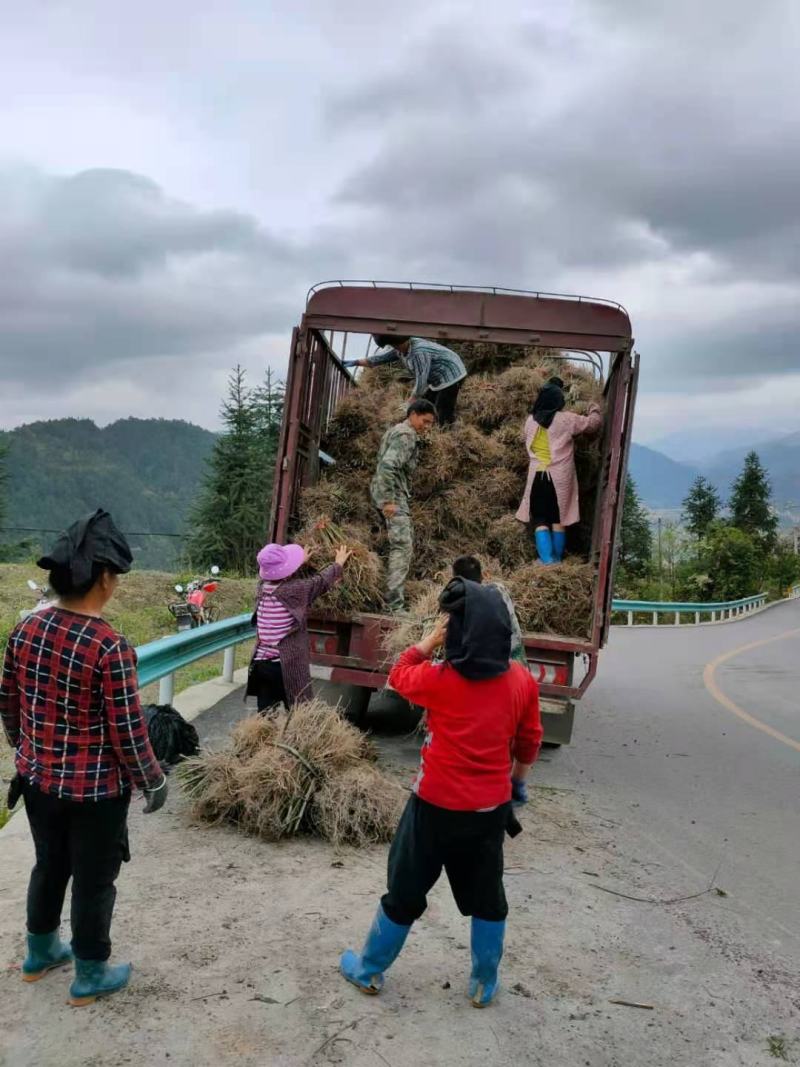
(551,501)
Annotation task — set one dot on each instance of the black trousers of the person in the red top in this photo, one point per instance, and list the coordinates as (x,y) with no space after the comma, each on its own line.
(468,845)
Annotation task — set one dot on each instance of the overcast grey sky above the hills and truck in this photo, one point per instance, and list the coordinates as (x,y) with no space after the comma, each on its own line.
(174,177)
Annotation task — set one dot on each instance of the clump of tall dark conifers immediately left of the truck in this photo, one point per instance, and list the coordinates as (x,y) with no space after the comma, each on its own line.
(231,517)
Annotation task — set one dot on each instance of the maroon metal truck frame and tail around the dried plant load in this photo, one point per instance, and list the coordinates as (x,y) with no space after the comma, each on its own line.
(339,321)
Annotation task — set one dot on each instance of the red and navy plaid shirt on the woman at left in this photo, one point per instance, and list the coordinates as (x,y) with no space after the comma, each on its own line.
(70,707)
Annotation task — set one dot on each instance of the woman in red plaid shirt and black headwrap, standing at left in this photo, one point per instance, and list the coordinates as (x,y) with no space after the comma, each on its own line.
(70,708)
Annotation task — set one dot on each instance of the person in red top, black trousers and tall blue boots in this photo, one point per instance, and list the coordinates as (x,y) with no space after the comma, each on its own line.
(484,728)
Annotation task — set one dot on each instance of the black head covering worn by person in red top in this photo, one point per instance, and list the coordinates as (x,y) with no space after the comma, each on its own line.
(478,642)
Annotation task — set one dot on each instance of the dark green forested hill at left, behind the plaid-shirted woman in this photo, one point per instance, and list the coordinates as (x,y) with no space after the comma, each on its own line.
(146,472)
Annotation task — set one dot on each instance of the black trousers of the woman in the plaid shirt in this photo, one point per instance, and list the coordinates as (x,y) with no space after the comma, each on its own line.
(87,840)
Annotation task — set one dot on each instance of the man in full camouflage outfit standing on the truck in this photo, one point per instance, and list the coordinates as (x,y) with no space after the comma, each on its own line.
(391,491)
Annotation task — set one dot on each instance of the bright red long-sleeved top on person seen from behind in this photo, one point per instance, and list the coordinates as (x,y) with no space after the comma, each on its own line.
(475,729)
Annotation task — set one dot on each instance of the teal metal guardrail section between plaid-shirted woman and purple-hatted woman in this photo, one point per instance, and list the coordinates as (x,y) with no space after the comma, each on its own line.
(158,661)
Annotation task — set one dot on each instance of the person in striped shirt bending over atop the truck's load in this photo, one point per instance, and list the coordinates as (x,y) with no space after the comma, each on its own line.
(439,372)
